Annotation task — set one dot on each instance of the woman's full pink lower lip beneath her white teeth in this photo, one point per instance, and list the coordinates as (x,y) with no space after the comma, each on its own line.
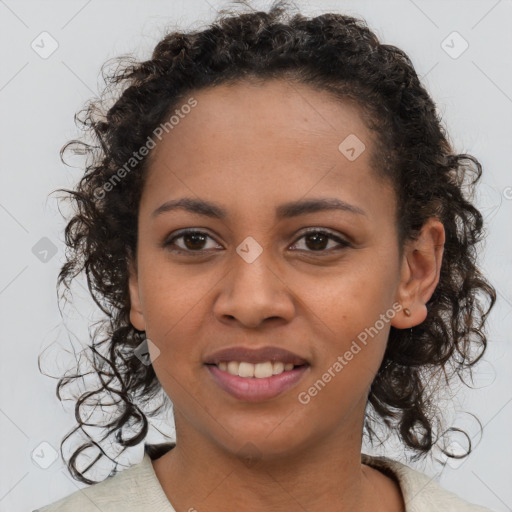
(253,389)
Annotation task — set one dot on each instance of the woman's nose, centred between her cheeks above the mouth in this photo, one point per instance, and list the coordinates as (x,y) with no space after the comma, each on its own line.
(254,293)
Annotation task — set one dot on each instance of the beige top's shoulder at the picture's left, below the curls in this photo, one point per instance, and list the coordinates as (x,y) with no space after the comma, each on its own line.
(135,489)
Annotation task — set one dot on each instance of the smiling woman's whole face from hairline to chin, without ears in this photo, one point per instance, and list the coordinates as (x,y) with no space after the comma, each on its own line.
(251,279)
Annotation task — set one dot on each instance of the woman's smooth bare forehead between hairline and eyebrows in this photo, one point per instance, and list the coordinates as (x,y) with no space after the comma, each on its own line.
(268,139)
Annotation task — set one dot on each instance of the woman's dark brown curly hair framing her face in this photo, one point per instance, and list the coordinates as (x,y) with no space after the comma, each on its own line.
(330,52)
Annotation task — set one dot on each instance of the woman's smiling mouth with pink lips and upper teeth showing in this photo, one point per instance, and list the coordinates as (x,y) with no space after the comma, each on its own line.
(256,375)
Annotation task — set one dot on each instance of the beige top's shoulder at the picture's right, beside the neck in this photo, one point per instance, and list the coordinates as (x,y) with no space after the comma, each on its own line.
(421,493)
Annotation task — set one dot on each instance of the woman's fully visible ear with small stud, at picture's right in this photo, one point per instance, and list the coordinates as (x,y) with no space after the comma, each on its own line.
(419,275)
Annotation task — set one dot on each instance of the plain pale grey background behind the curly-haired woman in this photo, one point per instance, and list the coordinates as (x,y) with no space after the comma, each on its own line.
(38,98)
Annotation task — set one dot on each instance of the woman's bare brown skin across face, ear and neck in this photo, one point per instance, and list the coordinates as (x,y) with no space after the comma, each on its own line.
(251,147)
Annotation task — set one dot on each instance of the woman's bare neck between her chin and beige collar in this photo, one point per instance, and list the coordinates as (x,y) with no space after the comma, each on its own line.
(200,475)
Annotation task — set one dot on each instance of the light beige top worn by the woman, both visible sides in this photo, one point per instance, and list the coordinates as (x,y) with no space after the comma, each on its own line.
(137,489)
